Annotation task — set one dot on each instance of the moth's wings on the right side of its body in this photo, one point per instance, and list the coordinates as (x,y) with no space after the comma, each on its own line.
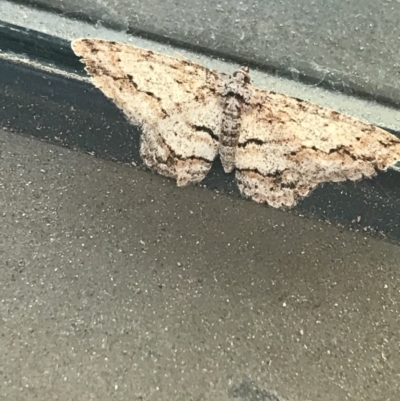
(287,147)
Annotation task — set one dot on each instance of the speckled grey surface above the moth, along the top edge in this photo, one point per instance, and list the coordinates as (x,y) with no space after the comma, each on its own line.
(345,44)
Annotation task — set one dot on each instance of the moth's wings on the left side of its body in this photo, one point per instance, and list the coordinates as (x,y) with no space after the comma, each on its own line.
(174,101)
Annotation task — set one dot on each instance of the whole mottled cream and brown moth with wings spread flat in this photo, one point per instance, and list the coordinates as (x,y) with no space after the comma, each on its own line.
(280,147)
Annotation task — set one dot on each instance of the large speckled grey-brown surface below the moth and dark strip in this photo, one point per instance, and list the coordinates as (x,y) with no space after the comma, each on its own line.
(117,285)
